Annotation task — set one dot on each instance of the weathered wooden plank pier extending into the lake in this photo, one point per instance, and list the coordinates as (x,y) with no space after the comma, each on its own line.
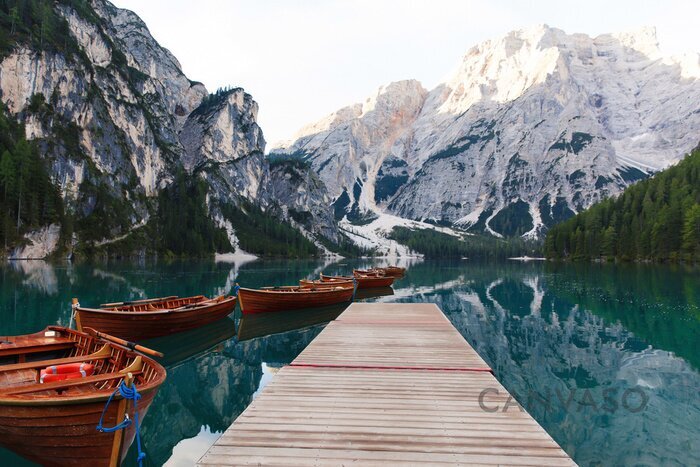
(385,384)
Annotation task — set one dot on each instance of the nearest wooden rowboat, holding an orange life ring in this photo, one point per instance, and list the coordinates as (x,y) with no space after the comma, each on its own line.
(55,423)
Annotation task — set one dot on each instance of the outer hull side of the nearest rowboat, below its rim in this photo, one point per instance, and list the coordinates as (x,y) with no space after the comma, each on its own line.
(63,435)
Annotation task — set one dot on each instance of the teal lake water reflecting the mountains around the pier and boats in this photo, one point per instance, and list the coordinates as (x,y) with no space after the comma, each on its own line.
(606,358)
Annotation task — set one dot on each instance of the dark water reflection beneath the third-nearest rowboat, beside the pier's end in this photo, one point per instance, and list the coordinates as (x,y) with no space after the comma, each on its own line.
(263,324)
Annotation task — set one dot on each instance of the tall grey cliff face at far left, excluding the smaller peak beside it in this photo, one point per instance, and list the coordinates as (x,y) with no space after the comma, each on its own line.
(108,123)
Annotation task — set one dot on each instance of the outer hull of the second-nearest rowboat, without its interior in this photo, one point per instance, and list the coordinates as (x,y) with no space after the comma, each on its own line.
(136,325)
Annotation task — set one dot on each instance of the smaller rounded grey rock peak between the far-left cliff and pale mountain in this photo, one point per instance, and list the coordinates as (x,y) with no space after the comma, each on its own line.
(223,143)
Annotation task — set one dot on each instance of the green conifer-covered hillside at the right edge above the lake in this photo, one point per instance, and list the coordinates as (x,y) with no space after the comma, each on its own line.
(657,219)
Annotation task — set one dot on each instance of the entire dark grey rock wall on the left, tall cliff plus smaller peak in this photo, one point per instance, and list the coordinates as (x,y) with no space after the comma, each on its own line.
(115,117)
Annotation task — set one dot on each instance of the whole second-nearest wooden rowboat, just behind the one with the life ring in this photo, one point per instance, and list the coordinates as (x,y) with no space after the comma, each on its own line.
(145,319)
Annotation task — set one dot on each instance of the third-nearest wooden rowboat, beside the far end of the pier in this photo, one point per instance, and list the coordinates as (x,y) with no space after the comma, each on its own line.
(292,297)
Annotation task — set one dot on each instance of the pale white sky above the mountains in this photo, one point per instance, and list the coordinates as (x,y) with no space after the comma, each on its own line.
(302,60)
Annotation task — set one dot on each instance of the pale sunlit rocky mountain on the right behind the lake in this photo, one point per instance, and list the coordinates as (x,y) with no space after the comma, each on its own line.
(529,128)
